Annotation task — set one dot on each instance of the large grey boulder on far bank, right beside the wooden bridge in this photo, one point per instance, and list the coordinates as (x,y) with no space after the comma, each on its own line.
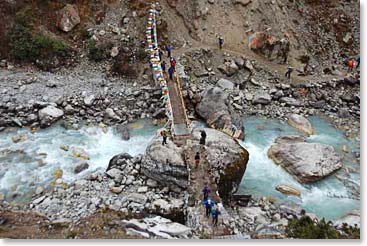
(213,107)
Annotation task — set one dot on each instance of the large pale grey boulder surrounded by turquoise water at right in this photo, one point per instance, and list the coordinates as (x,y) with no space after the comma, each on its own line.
(308,162)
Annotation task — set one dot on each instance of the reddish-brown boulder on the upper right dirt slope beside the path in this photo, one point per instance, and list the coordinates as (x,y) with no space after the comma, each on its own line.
(271,47)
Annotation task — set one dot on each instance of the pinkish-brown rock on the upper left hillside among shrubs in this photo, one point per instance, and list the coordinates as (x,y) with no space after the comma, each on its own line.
(68,18)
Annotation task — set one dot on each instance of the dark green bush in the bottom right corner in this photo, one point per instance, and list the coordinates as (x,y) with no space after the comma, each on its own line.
(306,228)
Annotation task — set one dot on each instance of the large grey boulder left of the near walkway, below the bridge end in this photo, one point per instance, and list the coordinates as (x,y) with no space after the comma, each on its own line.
(165,164)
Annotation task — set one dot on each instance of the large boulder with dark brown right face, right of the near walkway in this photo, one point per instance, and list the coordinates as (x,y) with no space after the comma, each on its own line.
(227,158)
